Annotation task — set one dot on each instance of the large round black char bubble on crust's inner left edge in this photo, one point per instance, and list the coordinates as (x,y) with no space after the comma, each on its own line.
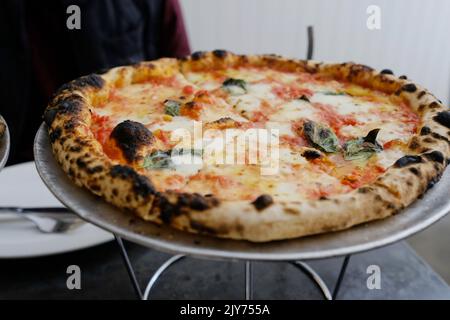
(130,136)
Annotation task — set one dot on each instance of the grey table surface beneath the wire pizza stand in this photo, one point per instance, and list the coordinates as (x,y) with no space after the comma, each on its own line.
(404,275)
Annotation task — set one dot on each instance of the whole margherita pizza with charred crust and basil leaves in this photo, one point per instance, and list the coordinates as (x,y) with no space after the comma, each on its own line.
(173,142)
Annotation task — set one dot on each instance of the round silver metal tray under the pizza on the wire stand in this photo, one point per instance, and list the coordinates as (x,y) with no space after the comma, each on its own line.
(433,206)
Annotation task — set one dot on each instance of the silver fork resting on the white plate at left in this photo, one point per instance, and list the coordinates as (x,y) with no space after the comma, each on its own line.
(48,219)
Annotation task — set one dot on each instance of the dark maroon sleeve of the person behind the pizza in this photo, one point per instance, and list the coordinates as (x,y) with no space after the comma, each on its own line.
(173,40)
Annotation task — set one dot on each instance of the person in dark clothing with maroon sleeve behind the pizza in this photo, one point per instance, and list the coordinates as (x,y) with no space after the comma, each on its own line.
(38,53)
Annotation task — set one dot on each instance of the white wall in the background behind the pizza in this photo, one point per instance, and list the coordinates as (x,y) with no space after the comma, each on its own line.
(414,38)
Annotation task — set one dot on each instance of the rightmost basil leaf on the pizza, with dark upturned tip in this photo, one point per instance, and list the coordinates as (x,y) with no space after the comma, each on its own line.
(362,148)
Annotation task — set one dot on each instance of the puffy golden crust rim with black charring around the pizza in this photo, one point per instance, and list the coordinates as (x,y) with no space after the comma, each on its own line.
(68,118)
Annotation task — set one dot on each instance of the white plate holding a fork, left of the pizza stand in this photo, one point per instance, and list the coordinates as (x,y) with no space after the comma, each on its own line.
(20,185)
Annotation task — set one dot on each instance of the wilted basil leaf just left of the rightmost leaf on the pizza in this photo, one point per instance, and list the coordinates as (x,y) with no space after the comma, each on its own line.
(321,136)
